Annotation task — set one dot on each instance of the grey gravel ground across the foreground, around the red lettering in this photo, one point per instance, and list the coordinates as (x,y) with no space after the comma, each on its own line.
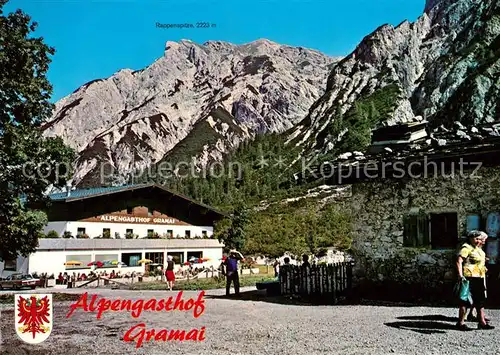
(254,325)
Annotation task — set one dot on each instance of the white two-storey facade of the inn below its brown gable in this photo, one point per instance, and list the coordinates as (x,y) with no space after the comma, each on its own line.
(52,254)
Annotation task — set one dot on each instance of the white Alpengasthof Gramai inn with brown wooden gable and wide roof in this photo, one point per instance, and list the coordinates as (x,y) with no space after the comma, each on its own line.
(123,224)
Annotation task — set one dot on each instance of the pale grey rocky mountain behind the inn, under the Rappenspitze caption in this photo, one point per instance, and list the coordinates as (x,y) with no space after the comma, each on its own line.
(195,101)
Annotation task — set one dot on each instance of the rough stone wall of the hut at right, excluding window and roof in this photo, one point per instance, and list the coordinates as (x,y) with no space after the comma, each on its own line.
(379,207)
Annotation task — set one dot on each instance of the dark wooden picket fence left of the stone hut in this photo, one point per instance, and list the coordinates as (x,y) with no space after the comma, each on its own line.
(325,283)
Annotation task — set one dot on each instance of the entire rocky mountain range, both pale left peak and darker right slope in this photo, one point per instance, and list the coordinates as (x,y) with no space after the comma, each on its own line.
(202,101)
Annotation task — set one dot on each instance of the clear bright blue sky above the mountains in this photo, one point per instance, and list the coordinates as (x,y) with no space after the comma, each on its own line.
(94,39)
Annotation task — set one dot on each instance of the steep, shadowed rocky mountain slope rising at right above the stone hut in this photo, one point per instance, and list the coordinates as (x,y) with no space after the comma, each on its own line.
(443,68)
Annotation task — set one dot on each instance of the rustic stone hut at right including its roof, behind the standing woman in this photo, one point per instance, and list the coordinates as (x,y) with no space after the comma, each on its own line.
(410,211)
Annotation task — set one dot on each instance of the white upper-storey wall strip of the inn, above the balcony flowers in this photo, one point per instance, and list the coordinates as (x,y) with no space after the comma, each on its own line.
(94,229)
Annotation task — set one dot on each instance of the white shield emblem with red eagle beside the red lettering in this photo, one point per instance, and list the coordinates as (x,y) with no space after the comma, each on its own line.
(33,317)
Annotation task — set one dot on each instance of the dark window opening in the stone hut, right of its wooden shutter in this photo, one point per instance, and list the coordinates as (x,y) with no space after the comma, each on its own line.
(444,230)
